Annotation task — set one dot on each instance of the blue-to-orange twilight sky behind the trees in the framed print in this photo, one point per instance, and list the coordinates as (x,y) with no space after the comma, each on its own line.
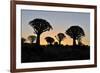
(60,22)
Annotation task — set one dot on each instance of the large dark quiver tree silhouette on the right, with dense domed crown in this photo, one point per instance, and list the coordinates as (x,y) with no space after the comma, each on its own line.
(75,32)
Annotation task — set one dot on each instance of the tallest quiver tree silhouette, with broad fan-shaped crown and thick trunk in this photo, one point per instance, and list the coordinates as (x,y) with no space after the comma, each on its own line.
(40,26)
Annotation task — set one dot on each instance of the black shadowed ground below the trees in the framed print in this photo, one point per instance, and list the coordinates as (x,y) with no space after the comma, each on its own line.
(34,53)
